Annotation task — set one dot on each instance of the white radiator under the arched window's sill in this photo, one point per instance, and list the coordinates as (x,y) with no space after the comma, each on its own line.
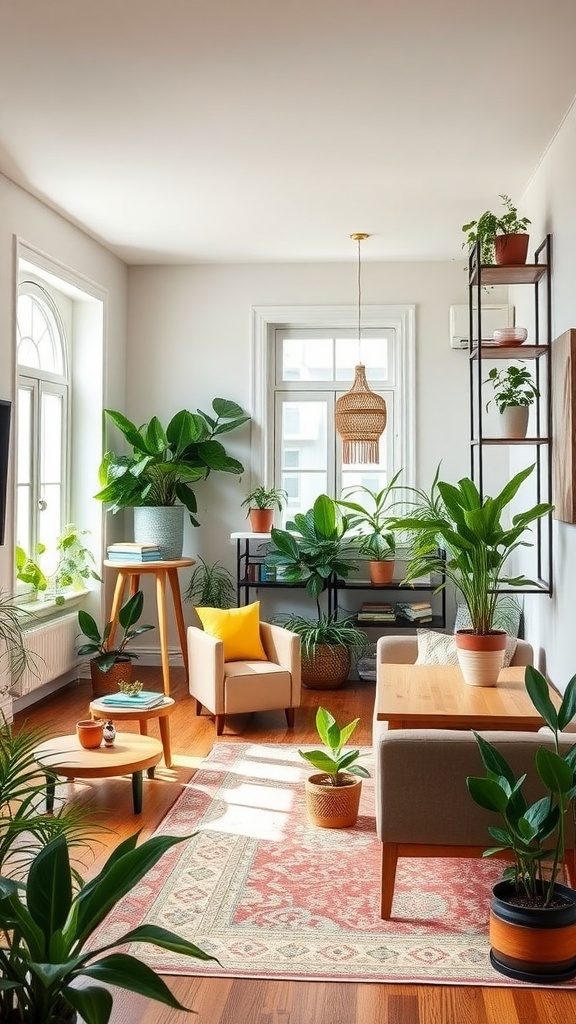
(53,650)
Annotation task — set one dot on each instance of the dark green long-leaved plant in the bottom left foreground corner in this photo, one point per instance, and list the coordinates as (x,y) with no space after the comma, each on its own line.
(50,926)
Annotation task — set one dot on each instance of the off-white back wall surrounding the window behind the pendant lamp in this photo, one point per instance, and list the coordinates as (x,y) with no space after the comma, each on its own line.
(189,342)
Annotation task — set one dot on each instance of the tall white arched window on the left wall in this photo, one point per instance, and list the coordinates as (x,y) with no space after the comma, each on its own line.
(43,420)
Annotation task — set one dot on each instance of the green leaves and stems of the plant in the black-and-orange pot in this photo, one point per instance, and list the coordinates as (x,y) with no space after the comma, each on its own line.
(538,833)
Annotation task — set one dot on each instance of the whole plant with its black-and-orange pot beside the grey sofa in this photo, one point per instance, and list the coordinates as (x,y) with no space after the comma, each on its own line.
(530,899)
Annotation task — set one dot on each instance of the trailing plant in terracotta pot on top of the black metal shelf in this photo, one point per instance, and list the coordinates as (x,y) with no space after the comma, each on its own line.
(502,238)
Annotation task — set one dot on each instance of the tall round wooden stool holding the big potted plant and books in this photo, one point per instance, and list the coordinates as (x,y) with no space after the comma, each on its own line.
(130,573)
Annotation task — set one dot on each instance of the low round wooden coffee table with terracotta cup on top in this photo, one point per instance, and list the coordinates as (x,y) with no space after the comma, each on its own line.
(131,754)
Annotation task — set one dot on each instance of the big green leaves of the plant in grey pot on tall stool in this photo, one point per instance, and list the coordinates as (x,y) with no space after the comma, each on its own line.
(166,462)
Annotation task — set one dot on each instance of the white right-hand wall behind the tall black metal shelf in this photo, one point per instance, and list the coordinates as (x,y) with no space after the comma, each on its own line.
(551,203)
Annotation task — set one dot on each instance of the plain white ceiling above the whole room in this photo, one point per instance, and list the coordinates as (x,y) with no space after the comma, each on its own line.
(255,131)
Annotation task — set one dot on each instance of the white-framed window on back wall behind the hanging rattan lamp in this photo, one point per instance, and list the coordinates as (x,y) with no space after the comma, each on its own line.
(308,369)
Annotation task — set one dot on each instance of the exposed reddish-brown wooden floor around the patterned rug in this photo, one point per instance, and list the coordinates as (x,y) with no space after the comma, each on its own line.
(249,1002)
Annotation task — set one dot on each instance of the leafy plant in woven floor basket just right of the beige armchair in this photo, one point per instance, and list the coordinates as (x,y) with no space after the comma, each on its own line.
(314,549)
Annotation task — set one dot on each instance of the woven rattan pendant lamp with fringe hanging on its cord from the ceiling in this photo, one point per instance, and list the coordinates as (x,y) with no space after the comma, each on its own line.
(360,415)
